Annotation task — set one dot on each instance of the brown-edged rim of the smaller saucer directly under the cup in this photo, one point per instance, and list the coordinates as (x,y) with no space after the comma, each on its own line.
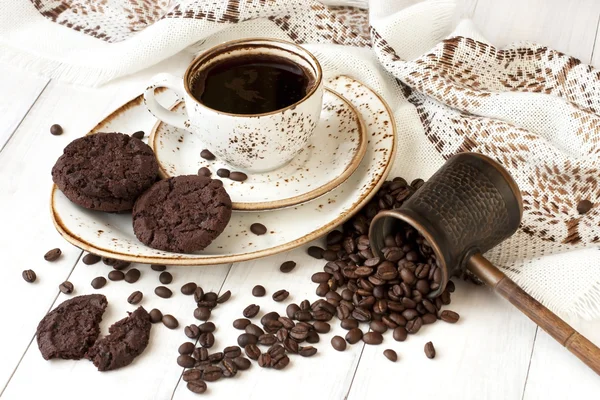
(295,200)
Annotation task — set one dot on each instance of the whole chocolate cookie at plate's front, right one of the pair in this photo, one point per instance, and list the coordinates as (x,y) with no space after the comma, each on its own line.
(182,214)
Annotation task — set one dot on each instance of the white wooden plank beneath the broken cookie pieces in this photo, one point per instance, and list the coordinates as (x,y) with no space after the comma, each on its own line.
(154,374)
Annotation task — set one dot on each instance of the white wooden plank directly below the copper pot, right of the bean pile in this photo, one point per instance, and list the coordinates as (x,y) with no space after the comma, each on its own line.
(484,355)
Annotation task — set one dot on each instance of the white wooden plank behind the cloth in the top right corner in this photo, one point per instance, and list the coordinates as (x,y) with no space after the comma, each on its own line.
(567,26)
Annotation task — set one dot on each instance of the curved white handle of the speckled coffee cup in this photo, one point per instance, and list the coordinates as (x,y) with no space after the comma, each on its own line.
(175,84)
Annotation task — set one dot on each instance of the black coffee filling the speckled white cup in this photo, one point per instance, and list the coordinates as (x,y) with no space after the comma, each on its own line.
(251,84)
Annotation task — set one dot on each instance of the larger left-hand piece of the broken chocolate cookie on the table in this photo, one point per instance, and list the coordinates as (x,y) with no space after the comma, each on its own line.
(71,328)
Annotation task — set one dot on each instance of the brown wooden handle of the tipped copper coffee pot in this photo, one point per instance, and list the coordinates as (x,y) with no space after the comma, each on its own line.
(562,332)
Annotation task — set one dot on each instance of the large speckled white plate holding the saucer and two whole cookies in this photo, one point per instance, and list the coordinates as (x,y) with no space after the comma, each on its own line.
(111,235)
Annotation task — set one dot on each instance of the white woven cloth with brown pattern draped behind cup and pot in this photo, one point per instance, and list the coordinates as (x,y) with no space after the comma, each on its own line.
(533,109)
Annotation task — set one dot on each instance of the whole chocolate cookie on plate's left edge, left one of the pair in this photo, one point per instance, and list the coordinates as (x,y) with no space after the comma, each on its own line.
(105,171)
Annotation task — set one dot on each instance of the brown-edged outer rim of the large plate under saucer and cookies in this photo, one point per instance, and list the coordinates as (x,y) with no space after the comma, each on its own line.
(184,260)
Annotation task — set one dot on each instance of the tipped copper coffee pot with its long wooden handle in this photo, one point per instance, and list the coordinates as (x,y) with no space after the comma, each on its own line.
(468,206)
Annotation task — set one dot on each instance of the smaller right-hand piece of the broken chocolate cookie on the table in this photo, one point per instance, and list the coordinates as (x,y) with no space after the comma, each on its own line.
(127,339)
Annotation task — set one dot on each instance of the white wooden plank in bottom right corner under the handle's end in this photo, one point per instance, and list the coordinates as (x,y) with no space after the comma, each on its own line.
(557,374)
